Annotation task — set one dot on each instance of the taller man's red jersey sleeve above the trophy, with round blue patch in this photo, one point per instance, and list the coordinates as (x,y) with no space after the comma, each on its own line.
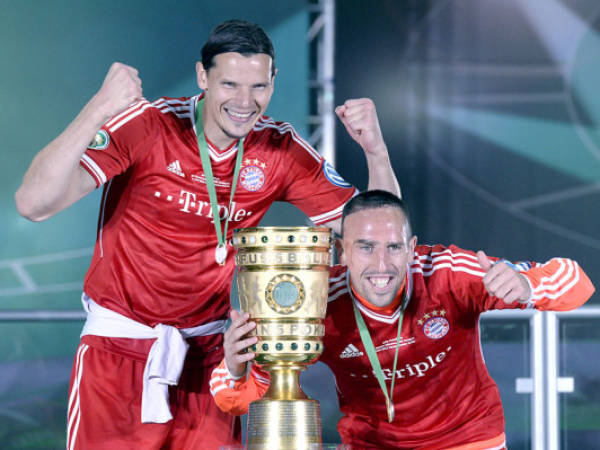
(312,184)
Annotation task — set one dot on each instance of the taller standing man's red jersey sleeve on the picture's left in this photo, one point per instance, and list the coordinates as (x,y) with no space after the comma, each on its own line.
(118,143)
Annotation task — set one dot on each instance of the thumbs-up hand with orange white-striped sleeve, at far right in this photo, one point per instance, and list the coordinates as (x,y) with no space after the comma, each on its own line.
(558,285)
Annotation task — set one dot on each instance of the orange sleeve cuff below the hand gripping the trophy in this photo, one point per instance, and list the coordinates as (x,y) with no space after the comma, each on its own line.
(233,395)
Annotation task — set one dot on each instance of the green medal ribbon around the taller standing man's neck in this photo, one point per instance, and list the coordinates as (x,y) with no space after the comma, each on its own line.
(208,175)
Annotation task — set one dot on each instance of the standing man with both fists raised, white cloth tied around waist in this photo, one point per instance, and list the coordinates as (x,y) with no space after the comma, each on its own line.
(176,172)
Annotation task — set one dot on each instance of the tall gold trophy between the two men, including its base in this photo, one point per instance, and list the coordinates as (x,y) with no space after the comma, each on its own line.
(283,283)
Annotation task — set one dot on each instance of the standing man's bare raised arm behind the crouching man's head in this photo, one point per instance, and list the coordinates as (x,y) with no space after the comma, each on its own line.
(360,119)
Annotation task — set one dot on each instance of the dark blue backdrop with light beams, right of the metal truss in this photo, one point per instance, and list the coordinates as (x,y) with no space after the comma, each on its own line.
(491,112)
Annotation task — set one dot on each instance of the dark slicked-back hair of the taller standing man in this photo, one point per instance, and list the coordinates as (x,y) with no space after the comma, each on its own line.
(237,36)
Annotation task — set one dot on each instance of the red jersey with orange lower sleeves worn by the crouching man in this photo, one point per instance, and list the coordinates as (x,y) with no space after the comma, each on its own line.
(443,394)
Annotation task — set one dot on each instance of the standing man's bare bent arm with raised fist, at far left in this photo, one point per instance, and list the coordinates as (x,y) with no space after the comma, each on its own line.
(55,180)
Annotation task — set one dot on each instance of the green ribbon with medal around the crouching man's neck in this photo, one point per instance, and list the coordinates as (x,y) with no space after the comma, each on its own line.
(372,354)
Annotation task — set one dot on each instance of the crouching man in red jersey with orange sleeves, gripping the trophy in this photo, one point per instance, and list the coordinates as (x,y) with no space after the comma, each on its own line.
(402,334)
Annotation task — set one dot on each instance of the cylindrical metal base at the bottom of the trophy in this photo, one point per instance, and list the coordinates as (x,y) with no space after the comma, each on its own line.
(284,424)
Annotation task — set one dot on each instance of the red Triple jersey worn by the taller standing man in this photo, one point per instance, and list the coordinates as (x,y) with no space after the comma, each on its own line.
(154,255)
